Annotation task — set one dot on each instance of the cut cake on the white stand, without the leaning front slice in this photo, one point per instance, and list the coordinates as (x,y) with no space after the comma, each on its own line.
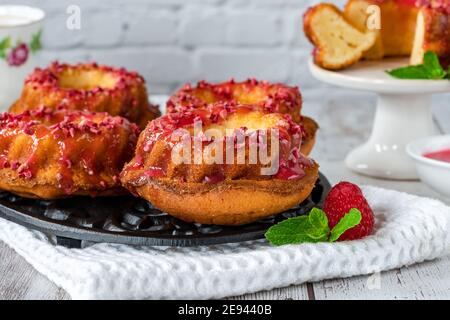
(408,27)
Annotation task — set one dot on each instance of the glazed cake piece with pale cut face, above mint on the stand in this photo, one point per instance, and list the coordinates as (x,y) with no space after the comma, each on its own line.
(432,34)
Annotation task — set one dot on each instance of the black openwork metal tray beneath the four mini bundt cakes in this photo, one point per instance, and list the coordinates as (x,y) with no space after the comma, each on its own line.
(134,221)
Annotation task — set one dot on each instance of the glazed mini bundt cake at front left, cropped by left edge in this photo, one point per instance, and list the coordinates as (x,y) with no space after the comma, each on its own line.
(47,153)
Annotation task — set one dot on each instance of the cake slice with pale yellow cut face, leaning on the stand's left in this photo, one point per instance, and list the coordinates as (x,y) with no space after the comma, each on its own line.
(338,44)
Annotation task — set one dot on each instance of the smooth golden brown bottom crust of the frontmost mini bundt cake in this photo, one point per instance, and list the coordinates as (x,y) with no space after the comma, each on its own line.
(228,203)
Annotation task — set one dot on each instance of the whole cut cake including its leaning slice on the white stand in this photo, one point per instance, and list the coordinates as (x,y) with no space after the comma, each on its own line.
(375,29)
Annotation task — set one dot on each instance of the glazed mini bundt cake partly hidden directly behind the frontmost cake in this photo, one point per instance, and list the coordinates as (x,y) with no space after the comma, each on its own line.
(271,97)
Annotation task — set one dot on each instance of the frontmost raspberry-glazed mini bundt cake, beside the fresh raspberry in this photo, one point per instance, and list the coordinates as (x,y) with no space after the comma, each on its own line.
(200,165)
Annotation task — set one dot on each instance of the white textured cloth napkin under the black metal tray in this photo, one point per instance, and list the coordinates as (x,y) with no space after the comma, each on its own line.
(409,229)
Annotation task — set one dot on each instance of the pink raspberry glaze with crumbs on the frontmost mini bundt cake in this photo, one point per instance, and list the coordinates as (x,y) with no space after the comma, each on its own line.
(292,162)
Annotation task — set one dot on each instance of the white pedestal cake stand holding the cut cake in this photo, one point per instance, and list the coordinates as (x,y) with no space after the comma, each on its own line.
(403,114)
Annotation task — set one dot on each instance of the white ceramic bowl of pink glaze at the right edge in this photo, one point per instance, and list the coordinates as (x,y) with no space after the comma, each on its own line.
(434,173)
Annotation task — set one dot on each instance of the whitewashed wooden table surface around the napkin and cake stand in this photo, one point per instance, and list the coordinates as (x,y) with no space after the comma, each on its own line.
(345,121)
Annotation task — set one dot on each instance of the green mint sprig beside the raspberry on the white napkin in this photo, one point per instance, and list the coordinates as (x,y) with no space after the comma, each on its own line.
(311,228)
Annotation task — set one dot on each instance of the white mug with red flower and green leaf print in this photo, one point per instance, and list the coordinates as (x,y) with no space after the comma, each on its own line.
(20,41)
